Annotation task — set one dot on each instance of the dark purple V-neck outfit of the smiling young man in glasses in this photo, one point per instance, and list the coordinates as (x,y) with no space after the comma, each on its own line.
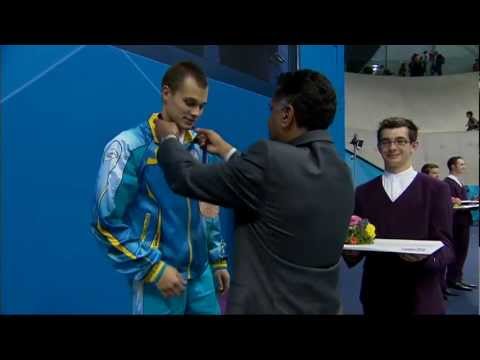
(422,212)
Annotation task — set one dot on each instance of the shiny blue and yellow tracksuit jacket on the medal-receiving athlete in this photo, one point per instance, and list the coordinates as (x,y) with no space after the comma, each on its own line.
(143,223)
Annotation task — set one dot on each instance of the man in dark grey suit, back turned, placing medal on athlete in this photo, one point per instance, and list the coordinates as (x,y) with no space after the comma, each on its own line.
(292,196)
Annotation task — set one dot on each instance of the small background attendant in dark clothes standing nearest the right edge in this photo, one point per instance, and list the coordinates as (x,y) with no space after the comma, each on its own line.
(462,219)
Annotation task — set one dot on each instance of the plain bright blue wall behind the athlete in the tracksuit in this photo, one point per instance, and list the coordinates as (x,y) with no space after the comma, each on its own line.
(59,107)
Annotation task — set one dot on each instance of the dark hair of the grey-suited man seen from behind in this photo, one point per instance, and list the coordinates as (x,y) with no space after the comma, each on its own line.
(311,95)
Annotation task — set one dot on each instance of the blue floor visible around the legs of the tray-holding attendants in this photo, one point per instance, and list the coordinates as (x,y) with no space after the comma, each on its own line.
(466,303)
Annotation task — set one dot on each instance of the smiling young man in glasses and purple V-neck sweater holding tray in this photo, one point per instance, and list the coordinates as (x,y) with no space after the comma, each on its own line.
(403,204)
